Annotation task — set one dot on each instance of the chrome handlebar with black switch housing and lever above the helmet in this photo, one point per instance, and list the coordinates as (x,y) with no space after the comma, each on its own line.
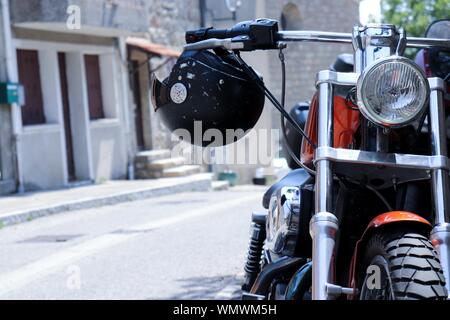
(264,34)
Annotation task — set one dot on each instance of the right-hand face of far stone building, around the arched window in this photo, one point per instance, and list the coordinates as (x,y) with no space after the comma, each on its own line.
(304,60)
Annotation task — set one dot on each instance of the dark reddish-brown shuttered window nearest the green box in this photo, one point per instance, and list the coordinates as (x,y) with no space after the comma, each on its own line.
(30,78)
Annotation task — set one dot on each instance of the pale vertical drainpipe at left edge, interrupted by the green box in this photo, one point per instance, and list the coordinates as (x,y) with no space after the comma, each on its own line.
(11,76)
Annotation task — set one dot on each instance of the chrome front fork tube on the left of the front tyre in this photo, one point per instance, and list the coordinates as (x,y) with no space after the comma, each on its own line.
(324,224)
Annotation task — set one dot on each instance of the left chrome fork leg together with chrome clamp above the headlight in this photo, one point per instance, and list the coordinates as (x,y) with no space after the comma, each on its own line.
(370,44)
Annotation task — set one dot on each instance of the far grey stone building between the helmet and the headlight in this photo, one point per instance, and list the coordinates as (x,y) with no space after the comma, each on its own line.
(303,60)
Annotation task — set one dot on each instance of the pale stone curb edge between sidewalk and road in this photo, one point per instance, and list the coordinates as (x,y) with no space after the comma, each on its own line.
(202,183)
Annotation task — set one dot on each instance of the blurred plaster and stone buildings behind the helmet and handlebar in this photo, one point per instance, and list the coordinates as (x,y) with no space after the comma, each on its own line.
(85,67)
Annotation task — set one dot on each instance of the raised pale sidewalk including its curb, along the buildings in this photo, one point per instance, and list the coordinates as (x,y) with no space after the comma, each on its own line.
(25,207)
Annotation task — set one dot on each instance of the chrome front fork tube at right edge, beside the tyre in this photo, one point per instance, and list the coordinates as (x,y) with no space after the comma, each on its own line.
(440,235)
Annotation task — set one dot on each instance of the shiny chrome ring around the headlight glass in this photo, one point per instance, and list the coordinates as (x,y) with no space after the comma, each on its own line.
(368,113)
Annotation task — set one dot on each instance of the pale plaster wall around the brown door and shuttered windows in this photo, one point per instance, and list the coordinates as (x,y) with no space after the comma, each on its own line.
(99,146)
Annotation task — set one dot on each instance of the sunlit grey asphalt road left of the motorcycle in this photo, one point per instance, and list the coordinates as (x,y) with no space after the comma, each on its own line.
(183,246)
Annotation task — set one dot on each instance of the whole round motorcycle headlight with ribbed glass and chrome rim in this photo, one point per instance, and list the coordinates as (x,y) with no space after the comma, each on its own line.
(392,92)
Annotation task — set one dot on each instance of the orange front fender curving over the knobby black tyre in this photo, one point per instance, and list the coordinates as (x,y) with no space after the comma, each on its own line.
(378,222)
